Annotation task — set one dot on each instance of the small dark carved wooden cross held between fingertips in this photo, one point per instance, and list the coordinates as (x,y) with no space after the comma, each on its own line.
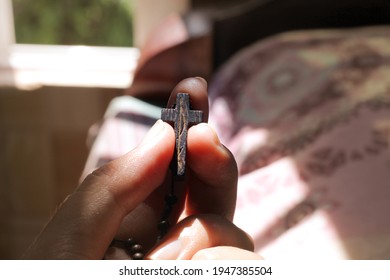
(181,117)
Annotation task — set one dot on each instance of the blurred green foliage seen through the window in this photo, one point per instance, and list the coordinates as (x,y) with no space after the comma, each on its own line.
(74,22)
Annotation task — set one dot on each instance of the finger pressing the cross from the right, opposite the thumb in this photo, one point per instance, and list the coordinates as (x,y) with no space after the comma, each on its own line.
(213,174)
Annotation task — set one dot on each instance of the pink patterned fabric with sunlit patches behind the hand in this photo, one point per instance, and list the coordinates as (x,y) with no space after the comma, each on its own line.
(307,116)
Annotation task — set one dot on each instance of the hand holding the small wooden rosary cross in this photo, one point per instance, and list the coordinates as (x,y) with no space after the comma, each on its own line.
(124,199)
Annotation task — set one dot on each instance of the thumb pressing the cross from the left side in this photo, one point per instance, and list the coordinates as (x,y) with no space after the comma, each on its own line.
(87,221)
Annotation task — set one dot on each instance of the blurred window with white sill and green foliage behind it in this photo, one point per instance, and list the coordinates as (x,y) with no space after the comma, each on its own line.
(68,43)
